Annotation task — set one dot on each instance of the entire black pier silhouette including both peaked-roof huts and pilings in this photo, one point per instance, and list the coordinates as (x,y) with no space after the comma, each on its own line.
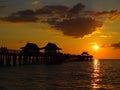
(31,54)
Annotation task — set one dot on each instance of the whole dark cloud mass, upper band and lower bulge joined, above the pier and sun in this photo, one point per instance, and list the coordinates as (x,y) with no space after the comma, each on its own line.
(71,21)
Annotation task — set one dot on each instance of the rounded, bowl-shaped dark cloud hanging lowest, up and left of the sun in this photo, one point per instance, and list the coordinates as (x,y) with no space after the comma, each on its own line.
(78,27)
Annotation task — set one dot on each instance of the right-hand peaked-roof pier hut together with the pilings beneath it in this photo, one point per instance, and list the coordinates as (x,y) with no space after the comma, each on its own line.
(52,54)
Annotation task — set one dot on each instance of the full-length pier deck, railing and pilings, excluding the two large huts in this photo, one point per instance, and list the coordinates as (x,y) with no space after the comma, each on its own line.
(18,57)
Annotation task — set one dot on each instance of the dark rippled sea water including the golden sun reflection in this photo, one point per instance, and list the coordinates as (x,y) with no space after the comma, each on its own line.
(87,75)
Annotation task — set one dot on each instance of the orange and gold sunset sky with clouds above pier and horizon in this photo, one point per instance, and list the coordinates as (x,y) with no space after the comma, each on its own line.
(74,25)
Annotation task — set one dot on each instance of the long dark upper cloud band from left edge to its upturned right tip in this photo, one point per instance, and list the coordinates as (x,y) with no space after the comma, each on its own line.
(58,11)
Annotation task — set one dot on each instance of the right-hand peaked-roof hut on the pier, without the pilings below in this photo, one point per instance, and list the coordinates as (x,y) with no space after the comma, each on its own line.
(51,49)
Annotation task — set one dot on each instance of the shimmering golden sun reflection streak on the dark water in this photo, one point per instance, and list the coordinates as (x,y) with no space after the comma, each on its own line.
(96,75)
